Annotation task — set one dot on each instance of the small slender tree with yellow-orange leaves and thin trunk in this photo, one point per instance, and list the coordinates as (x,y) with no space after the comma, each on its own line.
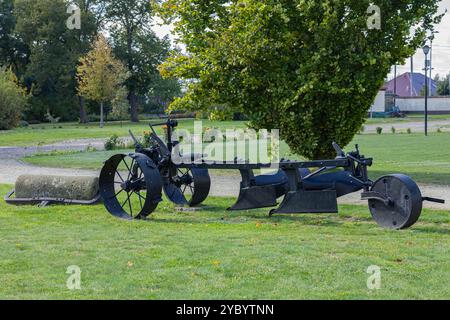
(101,76)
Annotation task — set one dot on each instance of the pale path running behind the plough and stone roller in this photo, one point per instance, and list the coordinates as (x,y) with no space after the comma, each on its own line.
(228,186)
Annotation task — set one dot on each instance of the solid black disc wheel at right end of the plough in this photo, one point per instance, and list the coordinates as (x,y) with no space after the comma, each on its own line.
(405,202)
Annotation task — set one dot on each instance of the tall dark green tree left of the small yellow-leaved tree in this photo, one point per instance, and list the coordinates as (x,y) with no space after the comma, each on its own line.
(54,52)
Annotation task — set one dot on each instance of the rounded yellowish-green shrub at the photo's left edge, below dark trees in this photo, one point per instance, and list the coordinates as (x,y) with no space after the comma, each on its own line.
(12,100)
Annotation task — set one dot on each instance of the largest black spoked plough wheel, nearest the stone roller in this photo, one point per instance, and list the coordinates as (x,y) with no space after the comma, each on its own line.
(130,186)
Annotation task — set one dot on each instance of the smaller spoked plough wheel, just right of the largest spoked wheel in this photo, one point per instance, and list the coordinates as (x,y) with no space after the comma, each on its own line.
(187,187)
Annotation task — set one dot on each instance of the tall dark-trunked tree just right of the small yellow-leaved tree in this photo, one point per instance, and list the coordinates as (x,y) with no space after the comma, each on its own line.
(137,45)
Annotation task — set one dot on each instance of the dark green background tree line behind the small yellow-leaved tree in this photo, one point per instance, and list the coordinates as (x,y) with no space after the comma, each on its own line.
(44,54)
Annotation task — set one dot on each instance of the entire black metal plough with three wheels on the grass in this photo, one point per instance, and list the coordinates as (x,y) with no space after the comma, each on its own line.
(131,185)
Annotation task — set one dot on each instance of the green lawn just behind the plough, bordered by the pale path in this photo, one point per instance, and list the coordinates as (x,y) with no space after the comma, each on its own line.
(426,159)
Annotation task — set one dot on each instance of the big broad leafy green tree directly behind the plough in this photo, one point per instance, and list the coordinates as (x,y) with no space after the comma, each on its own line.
(309,68)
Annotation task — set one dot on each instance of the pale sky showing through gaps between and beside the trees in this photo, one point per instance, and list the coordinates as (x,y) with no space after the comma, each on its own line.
(440,52)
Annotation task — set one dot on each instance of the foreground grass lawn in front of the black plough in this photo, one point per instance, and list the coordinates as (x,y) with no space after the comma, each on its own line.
(214,254)
